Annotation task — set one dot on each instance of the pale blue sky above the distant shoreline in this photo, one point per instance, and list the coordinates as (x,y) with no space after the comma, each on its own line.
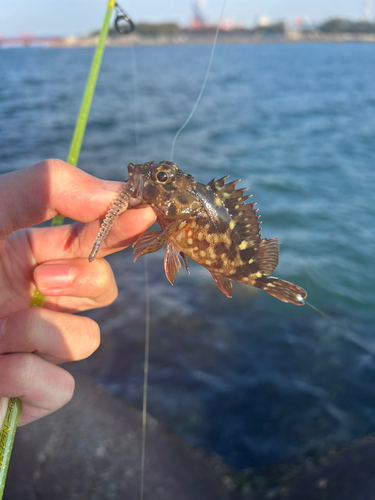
(79,17)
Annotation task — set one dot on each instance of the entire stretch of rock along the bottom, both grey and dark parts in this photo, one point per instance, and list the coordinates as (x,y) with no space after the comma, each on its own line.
(91,449)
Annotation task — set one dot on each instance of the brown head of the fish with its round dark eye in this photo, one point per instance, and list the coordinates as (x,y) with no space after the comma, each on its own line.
(165,187)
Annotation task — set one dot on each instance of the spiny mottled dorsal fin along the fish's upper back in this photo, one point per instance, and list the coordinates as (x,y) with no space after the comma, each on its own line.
(244,215)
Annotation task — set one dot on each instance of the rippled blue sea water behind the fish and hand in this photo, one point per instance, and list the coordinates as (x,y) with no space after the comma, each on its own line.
(250,378)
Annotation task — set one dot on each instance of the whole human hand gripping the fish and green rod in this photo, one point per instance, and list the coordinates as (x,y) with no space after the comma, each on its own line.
(33,341)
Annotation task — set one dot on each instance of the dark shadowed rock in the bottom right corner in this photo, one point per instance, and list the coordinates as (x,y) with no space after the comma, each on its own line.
(342,473)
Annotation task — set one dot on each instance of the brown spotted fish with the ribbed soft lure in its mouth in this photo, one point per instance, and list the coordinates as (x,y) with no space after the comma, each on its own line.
(210,223)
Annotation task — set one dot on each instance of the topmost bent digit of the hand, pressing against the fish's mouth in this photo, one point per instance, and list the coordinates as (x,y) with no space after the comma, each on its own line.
(52,187)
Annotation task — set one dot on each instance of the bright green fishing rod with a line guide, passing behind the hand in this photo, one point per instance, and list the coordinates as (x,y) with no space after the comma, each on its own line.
(12,407)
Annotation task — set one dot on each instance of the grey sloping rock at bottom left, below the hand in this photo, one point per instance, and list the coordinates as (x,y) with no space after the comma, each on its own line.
(91,449)
